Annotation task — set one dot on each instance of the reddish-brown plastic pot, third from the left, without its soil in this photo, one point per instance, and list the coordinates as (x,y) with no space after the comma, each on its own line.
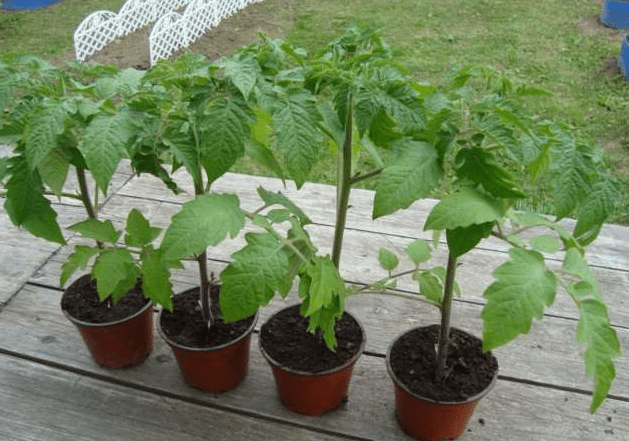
(313,394)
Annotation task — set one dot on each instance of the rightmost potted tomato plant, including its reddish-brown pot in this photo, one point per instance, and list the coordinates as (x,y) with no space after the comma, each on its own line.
(484,152)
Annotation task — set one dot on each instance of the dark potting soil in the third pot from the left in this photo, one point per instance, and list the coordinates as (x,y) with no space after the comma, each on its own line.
(286,339)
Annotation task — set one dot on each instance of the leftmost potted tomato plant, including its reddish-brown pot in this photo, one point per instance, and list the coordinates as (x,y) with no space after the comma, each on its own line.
(63,120)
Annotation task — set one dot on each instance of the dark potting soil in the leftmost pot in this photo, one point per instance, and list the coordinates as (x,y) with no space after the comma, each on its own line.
(81,301)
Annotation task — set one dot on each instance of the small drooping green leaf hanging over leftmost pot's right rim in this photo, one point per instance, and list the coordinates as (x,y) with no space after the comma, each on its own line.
(155,273)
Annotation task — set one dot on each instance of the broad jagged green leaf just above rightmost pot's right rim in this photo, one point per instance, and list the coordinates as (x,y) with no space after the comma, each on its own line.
(522,289)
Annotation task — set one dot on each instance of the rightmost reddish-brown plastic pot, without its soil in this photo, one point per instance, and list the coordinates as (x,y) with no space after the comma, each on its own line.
(427,419)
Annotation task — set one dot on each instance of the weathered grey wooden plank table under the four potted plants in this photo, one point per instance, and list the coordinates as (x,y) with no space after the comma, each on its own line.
(51,389)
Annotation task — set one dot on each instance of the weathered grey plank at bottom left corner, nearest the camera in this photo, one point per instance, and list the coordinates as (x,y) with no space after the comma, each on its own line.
(38,402)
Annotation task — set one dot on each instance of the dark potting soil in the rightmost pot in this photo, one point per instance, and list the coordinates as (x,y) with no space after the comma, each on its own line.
(413,359)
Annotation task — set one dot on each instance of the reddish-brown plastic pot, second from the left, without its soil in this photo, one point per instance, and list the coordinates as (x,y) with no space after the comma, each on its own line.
(216,369)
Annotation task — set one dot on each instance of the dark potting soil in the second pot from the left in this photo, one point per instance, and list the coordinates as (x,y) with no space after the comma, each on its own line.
(185,325)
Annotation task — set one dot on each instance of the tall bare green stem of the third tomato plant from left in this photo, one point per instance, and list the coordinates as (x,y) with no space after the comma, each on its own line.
(344,185)
